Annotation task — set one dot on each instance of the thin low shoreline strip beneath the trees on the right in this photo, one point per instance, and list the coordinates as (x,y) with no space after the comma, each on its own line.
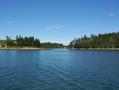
(96,49)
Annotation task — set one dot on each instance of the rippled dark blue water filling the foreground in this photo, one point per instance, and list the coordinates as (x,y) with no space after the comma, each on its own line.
(59,69)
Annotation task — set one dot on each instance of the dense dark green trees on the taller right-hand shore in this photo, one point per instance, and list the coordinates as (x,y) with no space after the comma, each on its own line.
(107,40)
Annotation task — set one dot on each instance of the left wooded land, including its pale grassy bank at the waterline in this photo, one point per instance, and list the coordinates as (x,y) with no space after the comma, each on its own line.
(27,43)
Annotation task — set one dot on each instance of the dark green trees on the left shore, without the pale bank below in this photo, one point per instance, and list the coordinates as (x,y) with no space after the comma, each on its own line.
(21,41)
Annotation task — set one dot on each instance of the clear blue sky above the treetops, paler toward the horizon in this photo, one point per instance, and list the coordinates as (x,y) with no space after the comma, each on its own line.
(58,20)
